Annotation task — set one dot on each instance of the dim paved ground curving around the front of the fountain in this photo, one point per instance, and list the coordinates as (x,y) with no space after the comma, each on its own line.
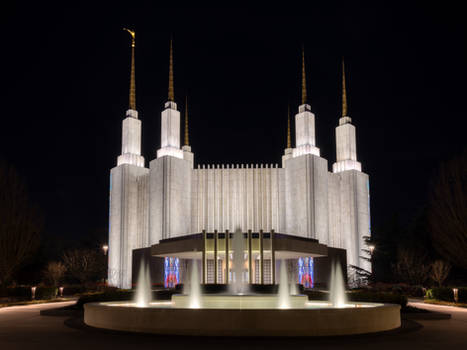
(21,327)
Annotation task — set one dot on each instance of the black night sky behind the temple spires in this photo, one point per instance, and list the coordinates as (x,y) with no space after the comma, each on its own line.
(65,75)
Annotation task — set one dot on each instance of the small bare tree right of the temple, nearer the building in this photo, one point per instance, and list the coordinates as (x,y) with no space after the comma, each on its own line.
(411,266)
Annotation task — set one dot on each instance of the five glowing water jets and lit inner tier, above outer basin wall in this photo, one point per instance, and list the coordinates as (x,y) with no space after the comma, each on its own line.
(238,298)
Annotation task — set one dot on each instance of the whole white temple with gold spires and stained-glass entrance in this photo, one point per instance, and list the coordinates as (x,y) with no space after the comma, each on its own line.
(173,211)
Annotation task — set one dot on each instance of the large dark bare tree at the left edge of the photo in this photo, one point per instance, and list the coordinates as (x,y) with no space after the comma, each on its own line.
(20,223)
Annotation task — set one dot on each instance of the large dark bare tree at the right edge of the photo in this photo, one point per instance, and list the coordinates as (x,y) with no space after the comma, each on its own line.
(448,211)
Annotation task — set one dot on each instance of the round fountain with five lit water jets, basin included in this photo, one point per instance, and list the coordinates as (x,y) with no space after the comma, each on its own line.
(238,313)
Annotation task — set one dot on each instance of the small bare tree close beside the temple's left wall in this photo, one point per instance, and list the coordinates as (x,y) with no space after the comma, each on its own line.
(85,265)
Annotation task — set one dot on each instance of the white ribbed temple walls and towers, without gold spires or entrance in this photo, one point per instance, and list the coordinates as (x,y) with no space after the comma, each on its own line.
(173,198)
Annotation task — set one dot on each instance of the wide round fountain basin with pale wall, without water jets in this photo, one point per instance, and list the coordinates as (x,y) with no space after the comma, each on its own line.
(221,315)
